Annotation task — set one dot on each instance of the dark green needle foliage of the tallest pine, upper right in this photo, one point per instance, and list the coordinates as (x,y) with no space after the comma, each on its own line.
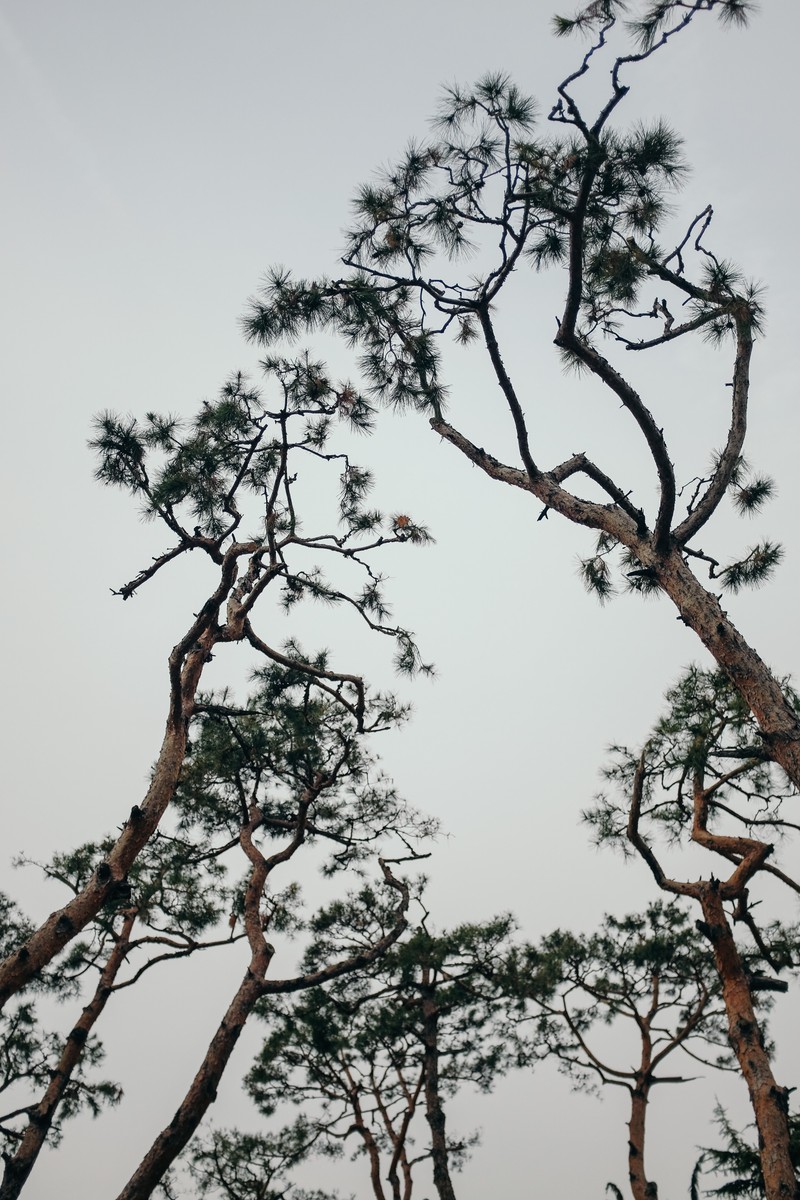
(492,187)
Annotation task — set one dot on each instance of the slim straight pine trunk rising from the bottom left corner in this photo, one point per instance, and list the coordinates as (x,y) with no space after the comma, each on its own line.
(22,1163)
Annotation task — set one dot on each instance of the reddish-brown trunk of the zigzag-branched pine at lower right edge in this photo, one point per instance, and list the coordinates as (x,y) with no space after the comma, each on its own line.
(769,1101)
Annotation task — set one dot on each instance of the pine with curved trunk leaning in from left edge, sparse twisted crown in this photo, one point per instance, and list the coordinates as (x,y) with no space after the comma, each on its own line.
(233,467)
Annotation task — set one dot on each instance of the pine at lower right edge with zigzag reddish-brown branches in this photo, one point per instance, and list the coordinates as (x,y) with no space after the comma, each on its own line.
(705,778)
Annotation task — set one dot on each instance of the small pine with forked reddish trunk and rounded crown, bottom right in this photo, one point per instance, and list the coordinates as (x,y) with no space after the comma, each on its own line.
(646,980)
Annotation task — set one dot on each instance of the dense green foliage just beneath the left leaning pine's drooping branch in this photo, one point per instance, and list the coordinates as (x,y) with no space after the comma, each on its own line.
(296,734)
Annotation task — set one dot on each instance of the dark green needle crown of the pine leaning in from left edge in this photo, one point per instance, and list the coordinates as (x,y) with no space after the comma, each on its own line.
(246,463)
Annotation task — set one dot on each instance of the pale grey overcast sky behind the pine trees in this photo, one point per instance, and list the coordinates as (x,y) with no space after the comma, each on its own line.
(157,160)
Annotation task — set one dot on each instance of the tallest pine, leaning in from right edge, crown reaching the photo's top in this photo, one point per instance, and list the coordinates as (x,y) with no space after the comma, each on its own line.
(436,260)
